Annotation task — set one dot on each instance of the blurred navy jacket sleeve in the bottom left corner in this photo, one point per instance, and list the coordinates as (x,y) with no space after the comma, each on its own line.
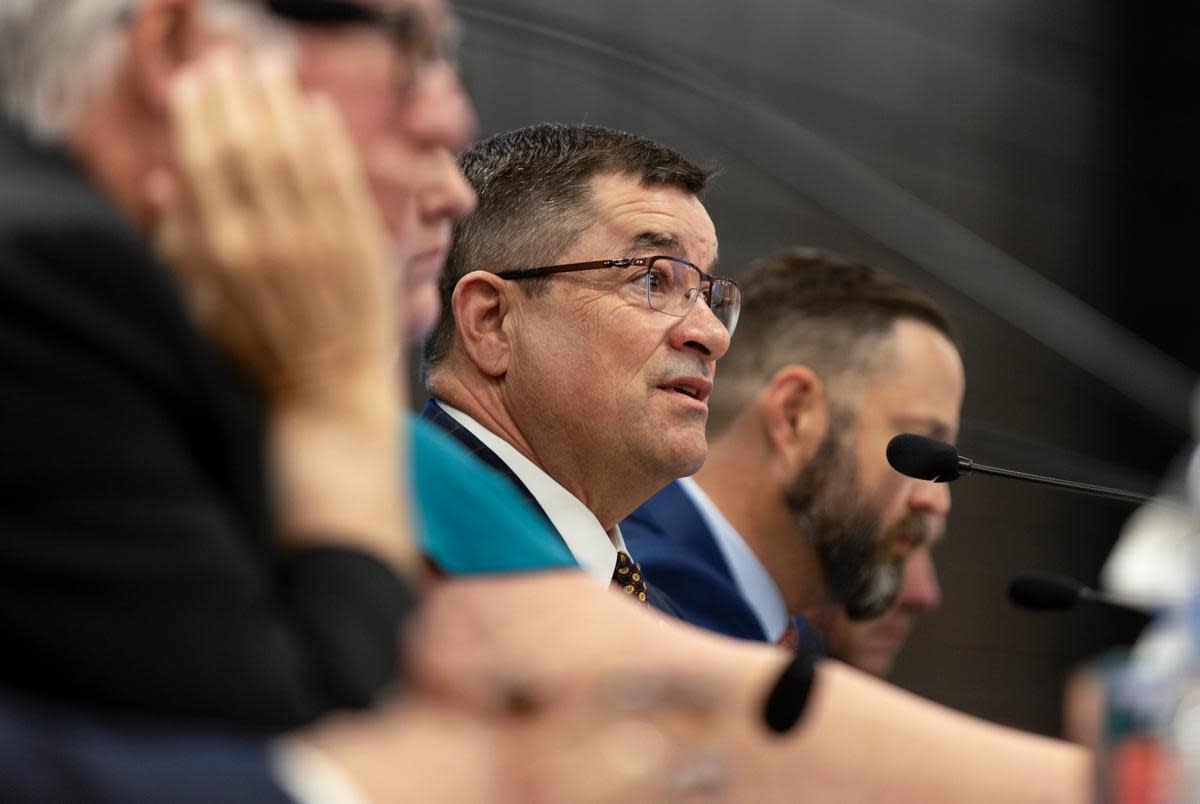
(57,754)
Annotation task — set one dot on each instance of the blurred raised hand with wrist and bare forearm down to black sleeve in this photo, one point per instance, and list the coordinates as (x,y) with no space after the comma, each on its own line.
(277,241)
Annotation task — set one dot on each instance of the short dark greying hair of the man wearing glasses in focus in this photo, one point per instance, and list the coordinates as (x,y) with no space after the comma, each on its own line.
(535,189)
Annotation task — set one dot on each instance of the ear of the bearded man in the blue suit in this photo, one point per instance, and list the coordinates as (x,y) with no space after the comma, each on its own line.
(795,415)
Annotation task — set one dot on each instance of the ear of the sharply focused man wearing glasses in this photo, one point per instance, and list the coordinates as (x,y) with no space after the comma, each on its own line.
(481,307)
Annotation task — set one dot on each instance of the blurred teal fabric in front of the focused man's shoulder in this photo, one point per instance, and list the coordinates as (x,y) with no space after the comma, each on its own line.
(472,520)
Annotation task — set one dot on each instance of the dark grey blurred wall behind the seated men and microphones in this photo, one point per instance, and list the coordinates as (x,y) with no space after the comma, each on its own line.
(975,148)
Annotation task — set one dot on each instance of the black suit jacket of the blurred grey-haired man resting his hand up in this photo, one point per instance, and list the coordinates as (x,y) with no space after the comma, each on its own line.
(136,523)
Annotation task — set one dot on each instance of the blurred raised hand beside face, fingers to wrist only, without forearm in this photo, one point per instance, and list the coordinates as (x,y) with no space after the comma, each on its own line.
(275,232)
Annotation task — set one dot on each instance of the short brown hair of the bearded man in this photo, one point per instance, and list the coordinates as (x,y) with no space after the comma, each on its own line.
(820,310)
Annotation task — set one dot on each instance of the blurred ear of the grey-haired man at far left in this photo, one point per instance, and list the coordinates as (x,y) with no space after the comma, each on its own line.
(165,37)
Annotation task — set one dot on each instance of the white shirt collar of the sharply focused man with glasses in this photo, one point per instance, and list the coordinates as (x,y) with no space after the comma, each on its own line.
(593,548)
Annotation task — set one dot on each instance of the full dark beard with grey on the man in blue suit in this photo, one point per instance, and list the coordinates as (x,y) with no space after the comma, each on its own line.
(862,569)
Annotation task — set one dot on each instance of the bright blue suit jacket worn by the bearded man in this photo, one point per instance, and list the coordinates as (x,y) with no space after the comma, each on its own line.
(676,548)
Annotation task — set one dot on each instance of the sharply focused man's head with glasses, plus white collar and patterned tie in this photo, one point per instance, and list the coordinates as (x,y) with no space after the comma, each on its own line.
(577,349)
